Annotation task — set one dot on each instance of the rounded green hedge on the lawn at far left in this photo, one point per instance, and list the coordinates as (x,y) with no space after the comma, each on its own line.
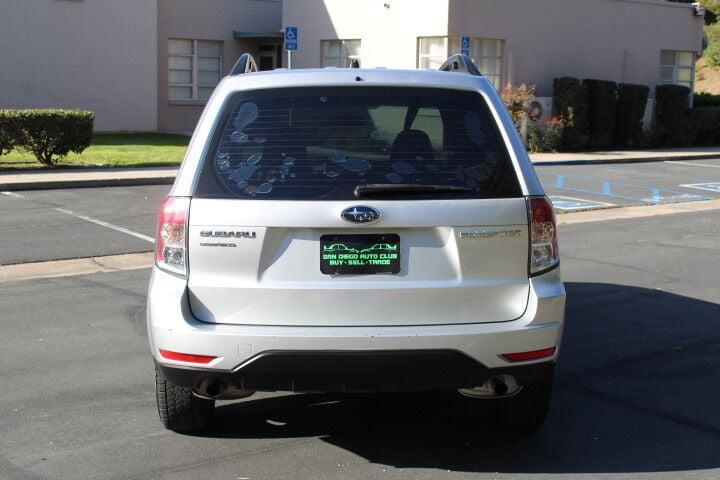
(48,134)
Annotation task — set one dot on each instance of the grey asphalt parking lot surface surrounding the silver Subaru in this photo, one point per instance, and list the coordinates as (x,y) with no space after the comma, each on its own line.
(637,387)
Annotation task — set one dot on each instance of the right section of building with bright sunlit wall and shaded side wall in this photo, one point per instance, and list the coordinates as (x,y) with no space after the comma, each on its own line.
(513,41)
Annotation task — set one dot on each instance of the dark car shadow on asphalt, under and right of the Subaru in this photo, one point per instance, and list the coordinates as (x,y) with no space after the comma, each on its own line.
(637,390)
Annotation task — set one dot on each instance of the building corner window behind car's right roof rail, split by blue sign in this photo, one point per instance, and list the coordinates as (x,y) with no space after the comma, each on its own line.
(485,52)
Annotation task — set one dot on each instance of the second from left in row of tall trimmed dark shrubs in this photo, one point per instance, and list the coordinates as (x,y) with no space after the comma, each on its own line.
(602,112)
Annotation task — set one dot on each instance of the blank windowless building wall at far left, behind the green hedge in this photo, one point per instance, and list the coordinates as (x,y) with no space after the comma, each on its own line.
(93,54)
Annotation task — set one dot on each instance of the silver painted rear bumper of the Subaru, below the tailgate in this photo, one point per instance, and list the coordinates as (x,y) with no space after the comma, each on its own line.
(172,326)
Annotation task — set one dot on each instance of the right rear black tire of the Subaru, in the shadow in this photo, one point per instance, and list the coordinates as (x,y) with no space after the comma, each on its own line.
(527,410)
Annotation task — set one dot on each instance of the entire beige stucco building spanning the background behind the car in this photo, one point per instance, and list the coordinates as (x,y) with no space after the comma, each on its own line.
(151,64)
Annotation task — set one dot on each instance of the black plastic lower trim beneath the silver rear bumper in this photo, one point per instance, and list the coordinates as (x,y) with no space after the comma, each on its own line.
(354,372)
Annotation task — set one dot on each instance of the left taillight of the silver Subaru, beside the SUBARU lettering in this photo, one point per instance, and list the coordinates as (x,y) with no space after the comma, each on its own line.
(170,242)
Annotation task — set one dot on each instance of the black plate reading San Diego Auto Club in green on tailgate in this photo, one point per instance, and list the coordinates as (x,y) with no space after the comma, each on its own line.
(360,254)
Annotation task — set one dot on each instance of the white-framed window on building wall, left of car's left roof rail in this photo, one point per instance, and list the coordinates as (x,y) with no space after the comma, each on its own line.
(194,68)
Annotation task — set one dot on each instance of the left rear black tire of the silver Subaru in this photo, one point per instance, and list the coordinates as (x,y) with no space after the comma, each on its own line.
(179,409)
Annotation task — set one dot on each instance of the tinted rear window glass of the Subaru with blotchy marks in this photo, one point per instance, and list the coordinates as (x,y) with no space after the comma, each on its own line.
(320,144)
